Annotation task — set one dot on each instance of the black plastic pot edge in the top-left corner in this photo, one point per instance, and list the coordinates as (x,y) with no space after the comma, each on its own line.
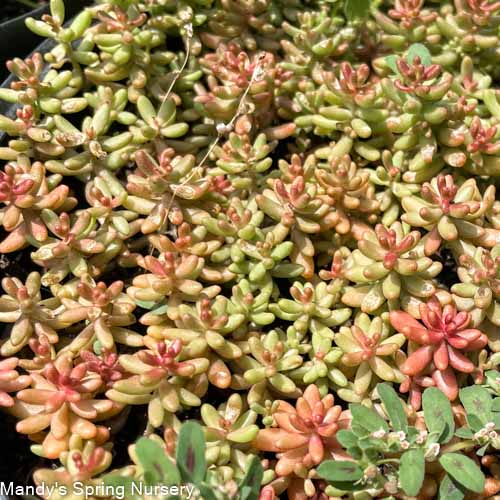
(16,40)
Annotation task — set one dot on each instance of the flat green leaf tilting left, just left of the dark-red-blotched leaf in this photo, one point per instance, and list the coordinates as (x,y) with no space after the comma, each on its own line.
(158,468)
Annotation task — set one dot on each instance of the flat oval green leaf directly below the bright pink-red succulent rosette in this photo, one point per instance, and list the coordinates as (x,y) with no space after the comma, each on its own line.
(438,414)
